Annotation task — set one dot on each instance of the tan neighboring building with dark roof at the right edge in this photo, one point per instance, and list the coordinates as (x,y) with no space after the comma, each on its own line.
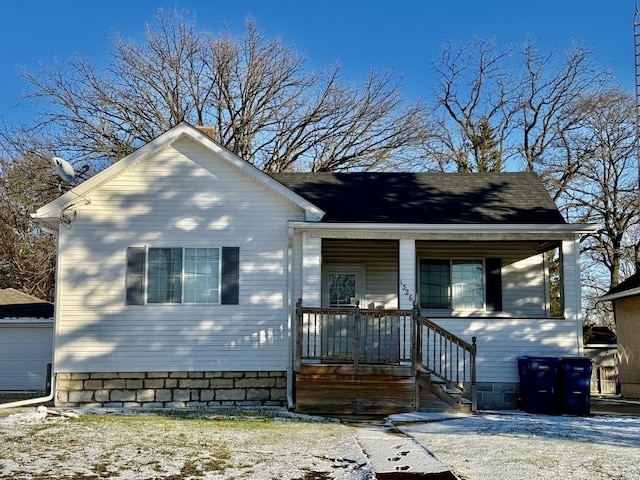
(625,298)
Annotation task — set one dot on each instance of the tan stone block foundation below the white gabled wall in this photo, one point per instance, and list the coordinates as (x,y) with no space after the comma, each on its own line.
(171,389)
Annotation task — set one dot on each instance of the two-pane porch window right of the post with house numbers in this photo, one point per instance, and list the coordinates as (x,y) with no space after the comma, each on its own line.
(452,284)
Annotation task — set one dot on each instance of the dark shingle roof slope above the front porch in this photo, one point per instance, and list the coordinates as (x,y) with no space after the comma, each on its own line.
(426,198)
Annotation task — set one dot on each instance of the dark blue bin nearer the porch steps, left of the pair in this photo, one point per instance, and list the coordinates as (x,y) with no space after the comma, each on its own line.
(539,384)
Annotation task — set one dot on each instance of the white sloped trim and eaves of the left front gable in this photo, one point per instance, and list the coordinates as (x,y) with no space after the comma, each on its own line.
(80,195)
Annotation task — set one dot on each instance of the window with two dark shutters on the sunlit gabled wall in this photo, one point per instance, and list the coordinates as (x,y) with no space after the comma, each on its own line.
(182,275)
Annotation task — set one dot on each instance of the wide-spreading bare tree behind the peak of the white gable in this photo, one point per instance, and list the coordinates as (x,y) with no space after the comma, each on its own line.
(266,106)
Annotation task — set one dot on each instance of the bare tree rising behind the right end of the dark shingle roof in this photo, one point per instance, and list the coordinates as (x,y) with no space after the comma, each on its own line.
(522,96)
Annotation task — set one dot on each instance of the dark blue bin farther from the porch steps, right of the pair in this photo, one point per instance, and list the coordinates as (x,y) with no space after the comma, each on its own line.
(576,385)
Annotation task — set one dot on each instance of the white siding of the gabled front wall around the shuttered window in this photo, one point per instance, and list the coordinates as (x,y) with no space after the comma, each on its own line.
(183,196)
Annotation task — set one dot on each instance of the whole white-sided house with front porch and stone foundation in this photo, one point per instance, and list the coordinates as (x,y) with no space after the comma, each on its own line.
(179,268)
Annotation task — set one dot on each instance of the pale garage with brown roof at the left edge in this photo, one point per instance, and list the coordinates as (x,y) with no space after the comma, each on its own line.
(26,336)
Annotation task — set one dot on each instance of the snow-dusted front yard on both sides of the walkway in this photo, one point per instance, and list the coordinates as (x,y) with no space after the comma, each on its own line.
(486,446)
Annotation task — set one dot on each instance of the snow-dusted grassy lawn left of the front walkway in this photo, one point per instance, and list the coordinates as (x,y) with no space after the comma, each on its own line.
(205,444)
